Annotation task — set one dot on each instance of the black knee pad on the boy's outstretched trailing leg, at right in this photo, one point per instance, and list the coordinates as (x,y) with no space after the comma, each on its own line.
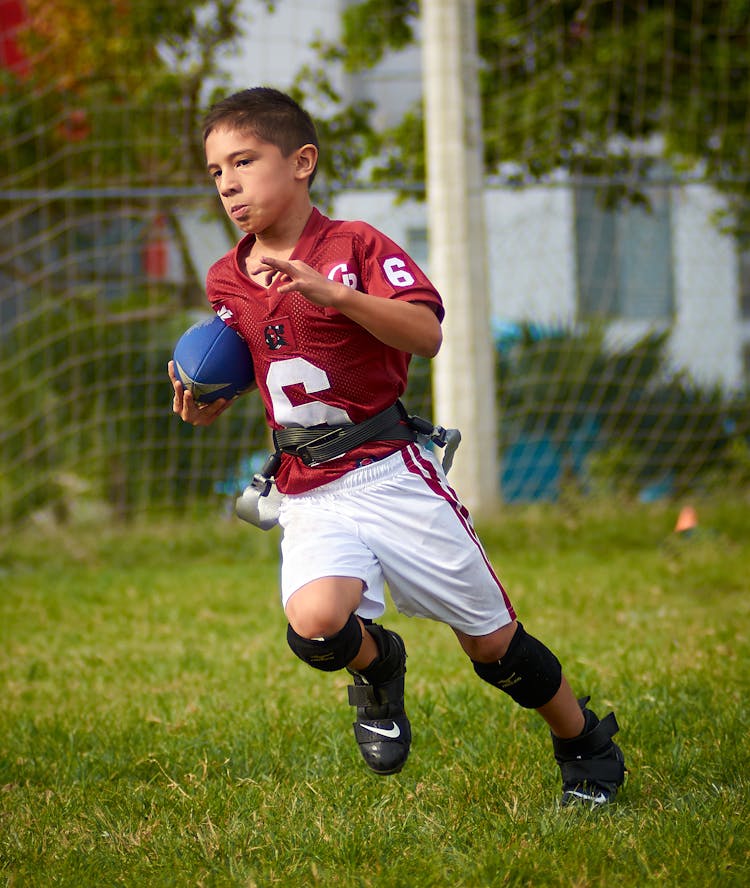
(529,672)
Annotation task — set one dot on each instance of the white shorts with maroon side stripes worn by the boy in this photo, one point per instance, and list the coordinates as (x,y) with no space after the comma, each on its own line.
(395,521)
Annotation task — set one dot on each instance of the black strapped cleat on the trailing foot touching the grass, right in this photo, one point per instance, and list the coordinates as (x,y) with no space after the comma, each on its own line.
(592,764)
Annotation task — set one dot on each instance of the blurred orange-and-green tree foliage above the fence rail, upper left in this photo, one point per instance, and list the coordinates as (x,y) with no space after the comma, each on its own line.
(100,70)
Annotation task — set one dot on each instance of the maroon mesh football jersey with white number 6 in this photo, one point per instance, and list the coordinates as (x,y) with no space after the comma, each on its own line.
(313,365)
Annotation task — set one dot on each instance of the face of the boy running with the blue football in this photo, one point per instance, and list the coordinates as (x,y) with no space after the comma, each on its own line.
(258,186)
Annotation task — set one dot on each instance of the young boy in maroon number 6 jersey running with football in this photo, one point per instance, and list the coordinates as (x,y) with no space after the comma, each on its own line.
(332,312)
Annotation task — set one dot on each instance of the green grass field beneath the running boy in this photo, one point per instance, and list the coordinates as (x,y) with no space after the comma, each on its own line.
(155,729)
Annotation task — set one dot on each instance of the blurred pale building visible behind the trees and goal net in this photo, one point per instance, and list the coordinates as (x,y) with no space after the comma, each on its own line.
(555,256)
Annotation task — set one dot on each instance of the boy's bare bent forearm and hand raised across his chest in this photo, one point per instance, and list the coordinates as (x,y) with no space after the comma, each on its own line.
(408,326)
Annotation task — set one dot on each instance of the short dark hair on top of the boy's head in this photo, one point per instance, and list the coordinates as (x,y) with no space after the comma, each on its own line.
(270,114)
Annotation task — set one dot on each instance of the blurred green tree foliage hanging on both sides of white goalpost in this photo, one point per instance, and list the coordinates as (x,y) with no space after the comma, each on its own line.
(590,87)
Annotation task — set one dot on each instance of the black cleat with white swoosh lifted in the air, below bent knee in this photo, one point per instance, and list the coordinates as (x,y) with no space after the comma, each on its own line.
(382,728)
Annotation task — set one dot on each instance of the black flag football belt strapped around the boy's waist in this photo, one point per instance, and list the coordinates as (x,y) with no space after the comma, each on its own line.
(318,445)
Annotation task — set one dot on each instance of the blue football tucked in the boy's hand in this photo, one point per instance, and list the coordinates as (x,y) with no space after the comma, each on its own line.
(213,361)
